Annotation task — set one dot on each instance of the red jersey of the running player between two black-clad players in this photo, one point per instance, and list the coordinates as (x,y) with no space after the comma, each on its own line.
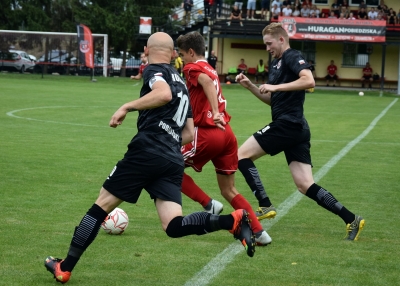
(201,108)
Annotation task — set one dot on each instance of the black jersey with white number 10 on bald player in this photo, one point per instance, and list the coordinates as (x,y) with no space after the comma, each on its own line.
(160,129)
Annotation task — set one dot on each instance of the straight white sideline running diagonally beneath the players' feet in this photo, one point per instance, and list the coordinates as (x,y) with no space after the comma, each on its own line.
(221,260)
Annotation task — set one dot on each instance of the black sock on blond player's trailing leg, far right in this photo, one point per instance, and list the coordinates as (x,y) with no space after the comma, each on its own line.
(326,200)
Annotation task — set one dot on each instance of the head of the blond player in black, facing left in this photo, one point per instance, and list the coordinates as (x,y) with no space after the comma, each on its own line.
(276,39)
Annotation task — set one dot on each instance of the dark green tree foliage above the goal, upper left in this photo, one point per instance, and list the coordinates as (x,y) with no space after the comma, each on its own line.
(118,19)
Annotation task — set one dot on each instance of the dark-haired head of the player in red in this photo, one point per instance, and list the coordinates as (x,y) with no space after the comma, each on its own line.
(191,46)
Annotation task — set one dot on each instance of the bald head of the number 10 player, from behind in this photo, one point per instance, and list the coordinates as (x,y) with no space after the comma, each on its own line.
(160,48)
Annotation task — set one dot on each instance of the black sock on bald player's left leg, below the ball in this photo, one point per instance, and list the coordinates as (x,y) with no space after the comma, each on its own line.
(83,236)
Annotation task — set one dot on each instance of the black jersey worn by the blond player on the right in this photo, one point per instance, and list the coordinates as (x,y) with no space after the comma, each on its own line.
(288,105)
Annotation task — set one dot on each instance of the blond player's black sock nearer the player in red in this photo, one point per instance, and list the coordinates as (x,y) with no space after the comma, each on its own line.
(250,173)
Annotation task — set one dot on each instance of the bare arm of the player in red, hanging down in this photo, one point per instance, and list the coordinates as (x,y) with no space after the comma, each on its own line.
(209,90)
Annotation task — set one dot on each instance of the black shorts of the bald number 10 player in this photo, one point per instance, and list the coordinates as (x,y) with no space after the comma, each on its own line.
(160,177)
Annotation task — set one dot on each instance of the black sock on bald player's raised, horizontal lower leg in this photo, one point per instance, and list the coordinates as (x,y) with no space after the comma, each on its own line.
(198,223)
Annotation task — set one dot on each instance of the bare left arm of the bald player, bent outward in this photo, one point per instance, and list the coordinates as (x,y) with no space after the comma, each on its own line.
(159,96)
